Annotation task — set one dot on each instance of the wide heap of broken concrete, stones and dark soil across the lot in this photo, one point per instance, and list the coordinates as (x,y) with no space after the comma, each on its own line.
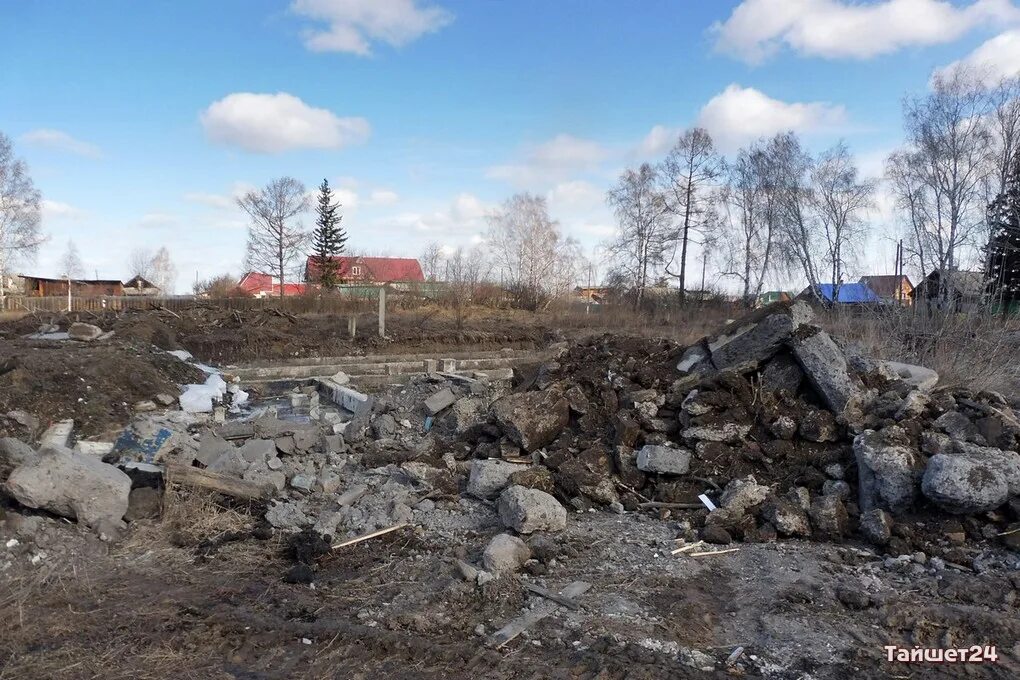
(770,430)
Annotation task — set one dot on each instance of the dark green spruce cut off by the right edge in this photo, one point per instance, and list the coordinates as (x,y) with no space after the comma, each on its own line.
(1003,251)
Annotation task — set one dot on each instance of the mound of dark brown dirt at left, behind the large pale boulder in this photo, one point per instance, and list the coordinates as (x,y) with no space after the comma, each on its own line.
(96,385)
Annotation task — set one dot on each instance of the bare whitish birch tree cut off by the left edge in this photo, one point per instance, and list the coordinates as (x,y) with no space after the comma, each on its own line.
(21,233)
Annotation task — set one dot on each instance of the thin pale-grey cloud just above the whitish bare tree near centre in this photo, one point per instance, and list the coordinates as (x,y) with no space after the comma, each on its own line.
(552,162)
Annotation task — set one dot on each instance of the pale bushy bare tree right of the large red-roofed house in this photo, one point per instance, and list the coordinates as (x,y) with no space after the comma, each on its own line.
(536,261)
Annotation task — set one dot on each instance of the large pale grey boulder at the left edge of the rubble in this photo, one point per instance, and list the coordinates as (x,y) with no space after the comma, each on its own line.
(72,486)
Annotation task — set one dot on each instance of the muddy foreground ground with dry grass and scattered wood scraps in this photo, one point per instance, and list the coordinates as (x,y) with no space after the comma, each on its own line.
(165,605)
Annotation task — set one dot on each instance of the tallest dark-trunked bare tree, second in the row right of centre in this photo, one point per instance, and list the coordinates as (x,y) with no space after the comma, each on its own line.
(691,174)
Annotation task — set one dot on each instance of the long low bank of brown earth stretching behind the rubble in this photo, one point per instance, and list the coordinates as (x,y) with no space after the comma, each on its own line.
(227,337)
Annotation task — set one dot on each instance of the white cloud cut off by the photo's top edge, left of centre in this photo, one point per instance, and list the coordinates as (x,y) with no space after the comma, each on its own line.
(353,25)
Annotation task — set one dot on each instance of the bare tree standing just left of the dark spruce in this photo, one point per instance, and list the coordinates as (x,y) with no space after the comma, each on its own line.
(276,240)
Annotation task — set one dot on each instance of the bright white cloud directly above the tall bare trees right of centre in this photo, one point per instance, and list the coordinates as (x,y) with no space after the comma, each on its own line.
(739,116)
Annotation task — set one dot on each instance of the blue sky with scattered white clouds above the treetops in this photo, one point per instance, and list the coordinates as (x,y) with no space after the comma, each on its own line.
(142,122)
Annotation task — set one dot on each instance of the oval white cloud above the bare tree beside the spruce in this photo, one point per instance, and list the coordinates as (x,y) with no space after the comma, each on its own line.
(272,124)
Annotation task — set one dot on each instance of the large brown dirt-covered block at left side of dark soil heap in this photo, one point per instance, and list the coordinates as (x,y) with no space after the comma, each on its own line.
(532,420)
